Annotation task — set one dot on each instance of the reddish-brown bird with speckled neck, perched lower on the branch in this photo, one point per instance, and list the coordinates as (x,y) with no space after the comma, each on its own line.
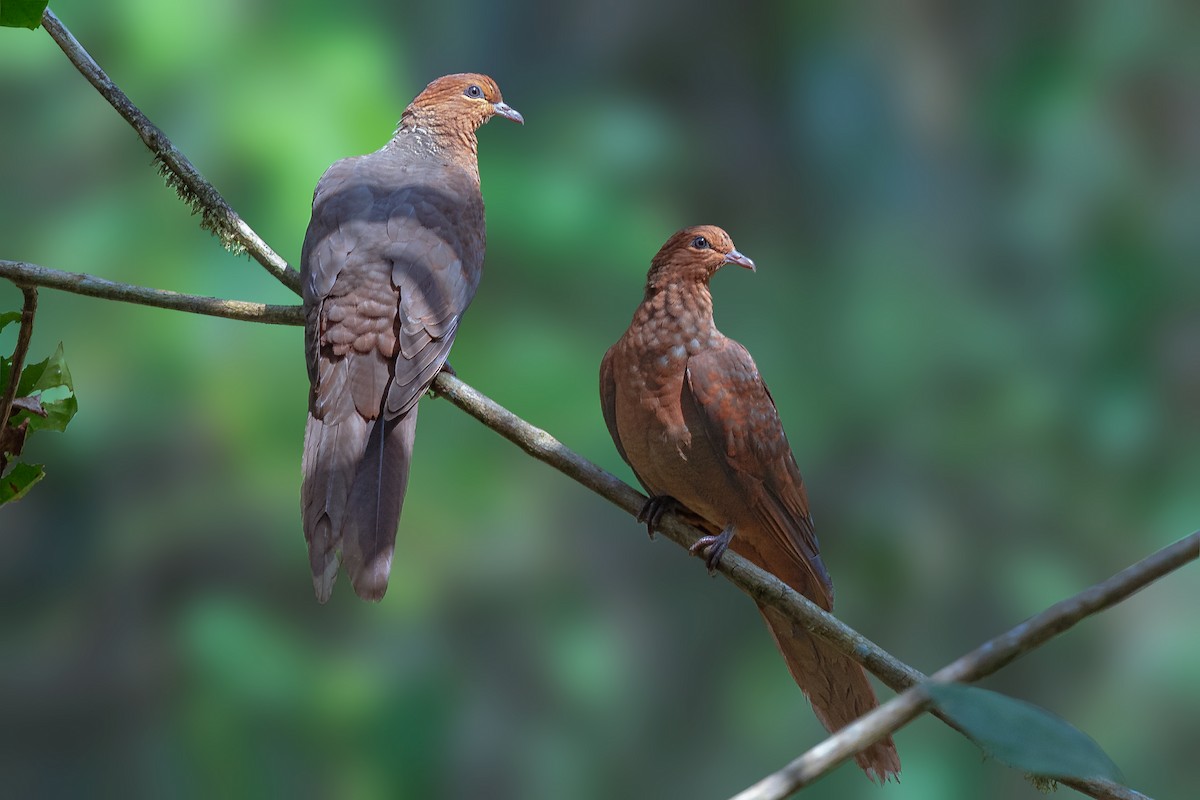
(692,417)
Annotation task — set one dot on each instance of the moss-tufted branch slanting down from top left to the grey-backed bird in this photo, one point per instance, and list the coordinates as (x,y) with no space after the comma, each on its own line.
(218,215)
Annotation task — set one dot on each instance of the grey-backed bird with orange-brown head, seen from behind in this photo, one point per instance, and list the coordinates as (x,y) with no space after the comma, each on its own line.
(391,261)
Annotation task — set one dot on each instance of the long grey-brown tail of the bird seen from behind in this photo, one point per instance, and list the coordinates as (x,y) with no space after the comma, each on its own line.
(356,473)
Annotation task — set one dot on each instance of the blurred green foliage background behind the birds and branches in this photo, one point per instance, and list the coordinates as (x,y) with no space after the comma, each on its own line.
(977,306)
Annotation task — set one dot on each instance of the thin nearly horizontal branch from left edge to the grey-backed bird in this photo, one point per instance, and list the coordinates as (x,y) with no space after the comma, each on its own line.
(25,274)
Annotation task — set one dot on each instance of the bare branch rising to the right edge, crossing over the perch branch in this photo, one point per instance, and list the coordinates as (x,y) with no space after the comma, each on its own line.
(980,663)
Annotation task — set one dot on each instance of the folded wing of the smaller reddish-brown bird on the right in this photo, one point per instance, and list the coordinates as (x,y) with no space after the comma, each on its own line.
(739,417)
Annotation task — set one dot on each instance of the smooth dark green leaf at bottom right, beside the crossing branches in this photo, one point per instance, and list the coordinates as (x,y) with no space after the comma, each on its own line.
(1022,735)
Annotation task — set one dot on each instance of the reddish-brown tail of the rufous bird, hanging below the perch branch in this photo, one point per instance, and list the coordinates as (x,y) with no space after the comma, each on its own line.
(836,685)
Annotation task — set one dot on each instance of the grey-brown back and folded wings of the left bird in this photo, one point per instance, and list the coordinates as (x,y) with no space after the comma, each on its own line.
(392,261)
